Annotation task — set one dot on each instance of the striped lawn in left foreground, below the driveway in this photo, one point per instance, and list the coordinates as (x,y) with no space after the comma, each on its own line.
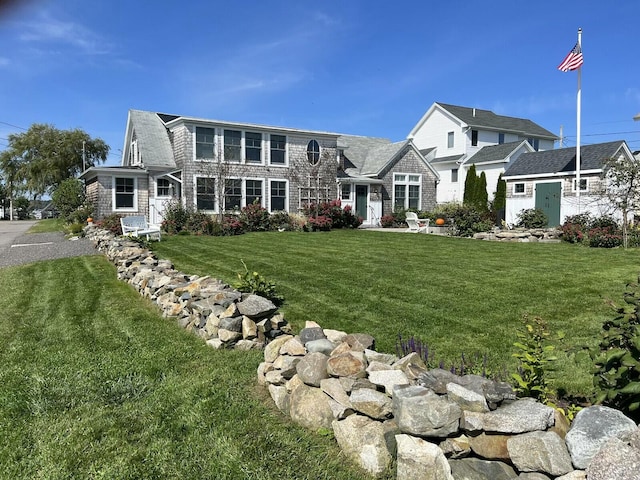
(94,384)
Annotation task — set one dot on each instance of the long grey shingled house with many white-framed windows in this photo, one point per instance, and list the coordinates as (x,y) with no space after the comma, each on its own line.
(217,166)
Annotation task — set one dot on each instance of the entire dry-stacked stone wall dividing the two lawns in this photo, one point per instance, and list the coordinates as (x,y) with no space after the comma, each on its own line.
(386,411)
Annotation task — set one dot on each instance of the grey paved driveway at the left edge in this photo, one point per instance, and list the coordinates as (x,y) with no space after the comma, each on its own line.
(18,247)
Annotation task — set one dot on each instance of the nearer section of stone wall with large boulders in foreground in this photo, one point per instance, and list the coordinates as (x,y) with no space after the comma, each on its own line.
(435,424)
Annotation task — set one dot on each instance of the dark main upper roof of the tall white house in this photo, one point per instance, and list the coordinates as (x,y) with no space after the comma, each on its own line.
(488,119)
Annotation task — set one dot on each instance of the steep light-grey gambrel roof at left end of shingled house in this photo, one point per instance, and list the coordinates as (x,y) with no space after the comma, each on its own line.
(153,140)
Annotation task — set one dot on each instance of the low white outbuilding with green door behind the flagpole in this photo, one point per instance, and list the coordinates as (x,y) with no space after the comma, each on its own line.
(547,180)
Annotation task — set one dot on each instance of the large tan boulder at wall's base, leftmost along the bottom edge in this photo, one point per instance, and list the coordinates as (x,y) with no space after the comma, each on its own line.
(368,443)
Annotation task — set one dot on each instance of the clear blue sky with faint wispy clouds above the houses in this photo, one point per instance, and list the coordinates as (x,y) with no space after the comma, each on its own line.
(363,67)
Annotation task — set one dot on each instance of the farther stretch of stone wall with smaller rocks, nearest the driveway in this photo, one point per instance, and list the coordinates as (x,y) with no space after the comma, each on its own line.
(222,316)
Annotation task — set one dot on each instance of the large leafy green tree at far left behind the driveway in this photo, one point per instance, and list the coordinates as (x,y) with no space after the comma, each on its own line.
(38,160)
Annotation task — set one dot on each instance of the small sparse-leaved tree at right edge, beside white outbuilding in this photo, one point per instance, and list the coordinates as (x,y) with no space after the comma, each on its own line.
(621,188)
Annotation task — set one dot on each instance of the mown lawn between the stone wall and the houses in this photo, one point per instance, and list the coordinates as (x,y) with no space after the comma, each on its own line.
(456,295)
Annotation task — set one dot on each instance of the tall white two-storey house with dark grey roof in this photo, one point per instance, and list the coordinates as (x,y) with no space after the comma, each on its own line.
(452,138)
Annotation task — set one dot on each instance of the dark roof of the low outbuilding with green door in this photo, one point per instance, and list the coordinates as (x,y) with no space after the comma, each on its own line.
(564,159)
